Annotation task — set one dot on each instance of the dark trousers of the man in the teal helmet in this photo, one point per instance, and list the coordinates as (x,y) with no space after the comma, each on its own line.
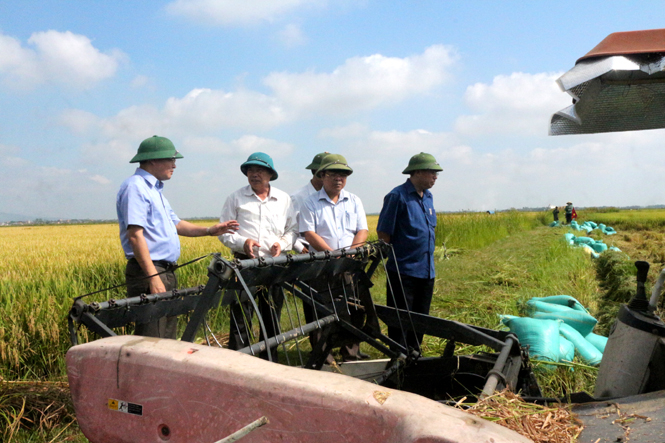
(270,302)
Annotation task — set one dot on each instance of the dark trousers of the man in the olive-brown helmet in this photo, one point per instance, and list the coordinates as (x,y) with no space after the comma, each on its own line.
(336,287)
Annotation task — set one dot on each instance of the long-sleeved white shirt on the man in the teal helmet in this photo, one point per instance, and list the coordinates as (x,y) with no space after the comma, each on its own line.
(266,221)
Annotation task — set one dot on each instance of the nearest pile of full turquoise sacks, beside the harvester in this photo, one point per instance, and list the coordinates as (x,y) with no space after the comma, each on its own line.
(558,327)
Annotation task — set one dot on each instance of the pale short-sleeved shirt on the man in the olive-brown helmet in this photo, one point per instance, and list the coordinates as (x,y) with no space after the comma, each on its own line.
(336,223)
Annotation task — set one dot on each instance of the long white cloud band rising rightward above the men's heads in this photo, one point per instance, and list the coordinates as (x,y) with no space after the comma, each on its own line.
(361,83)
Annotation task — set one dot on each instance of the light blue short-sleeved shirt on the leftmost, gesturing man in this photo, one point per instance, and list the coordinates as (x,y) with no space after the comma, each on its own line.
(140,202)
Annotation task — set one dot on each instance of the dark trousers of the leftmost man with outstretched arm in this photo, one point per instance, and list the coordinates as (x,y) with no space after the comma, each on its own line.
(137,284)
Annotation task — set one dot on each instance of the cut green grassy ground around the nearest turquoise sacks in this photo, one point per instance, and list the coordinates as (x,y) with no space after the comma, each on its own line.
(477,286)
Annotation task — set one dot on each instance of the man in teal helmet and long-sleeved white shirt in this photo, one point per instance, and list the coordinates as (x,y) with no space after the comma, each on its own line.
(267,228)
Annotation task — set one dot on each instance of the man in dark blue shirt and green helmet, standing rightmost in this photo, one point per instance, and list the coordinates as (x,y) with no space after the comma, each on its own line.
(408,221)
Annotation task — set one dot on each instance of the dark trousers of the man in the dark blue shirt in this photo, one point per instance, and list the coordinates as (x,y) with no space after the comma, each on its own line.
(414,294)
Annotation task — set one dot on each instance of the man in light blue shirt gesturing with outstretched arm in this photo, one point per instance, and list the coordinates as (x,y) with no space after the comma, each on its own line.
(149,229)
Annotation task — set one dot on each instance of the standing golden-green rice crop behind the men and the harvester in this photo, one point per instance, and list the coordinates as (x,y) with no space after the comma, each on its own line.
(42,269)
